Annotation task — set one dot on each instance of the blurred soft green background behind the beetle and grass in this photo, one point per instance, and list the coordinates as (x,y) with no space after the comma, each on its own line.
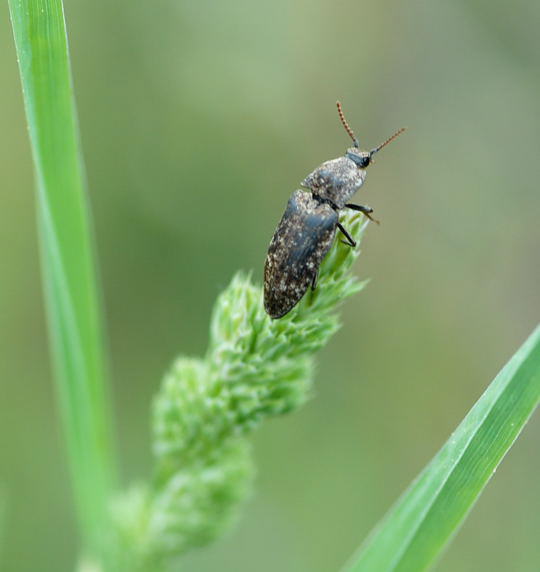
(198,120)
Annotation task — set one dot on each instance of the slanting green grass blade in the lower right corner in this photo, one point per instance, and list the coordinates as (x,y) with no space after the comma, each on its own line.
(421,523)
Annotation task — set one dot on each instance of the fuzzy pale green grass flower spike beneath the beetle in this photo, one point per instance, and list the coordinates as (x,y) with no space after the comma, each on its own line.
(255,367)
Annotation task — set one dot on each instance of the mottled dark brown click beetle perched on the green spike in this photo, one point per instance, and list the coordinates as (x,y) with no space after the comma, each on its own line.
(308,226)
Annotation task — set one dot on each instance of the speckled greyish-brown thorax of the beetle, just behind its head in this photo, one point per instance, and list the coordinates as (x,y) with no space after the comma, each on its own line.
(336,180)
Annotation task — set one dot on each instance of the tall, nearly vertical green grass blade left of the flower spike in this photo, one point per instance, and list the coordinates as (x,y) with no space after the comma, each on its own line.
(67,261)
